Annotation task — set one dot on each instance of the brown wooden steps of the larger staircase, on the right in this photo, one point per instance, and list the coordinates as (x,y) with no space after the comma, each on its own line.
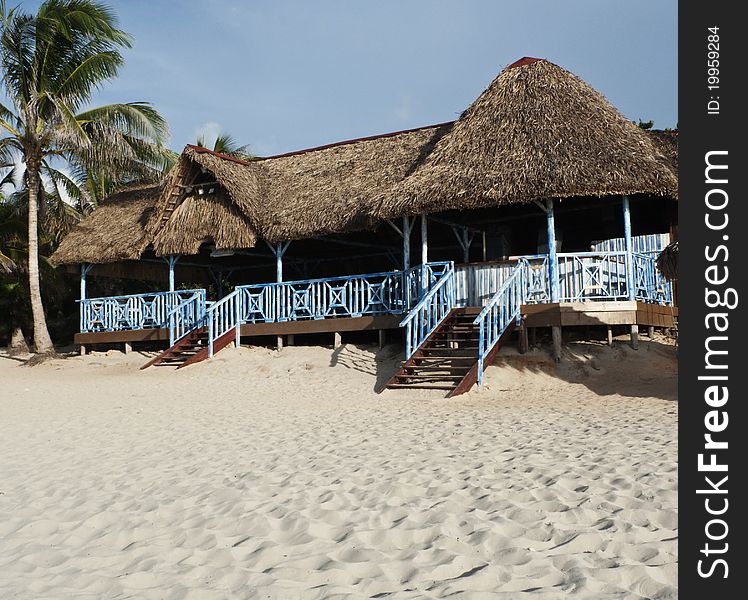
(448,358)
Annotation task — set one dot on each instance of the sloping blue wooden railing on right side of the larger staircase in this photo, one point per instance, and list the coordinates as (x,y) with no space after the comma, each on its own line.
(500,312)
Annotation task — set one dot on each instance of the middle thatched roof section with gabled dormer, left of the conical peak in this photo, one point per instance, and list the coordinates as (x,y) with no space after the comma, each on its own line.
(319,191)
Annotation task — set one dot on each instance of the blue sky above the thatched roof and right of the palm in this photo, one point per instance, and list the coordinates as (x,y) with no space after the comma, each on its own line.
(288,74)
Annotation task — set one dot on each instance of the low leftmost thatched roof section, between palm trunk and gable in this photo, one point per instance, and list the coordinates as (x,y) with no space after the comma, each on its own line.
(114,231)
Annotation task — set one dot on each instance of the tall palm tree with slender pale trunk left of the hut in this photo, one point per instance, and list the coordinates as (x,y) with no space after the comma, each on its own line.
(52,62)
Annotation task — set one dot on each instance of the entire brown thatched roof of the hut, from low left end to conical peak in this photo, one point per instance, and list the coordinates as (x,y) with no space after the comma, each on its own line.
(537,132)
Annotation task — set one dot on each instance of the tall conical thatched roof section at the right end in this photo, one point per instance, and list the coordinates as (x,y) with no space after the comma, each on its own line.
(537,132)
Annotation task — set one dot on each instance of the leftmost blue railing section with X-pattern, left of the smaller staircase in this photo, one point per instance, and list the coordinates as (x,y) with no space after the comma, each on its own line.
(136,311)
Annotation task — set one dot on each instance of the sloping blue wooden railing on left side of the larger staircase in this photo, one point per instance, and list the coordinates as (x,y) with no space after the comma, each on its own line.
(430,311)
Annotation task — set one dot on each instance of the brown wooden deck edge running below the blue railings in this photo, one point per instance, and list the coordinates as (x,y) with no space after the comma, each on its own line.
(536,315)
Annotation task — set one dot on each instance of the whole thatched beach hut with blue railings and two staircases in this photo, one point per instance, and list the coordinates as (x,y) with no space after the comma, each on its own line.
(541,206)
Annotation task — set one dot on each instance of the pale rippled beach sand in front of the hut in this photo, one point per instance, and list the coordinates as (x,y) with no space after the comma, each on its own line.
(283,475)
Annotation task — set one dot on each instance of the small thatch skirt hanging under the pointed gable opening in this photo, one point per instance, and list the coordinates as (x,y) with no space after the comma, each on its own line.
(204,219)
